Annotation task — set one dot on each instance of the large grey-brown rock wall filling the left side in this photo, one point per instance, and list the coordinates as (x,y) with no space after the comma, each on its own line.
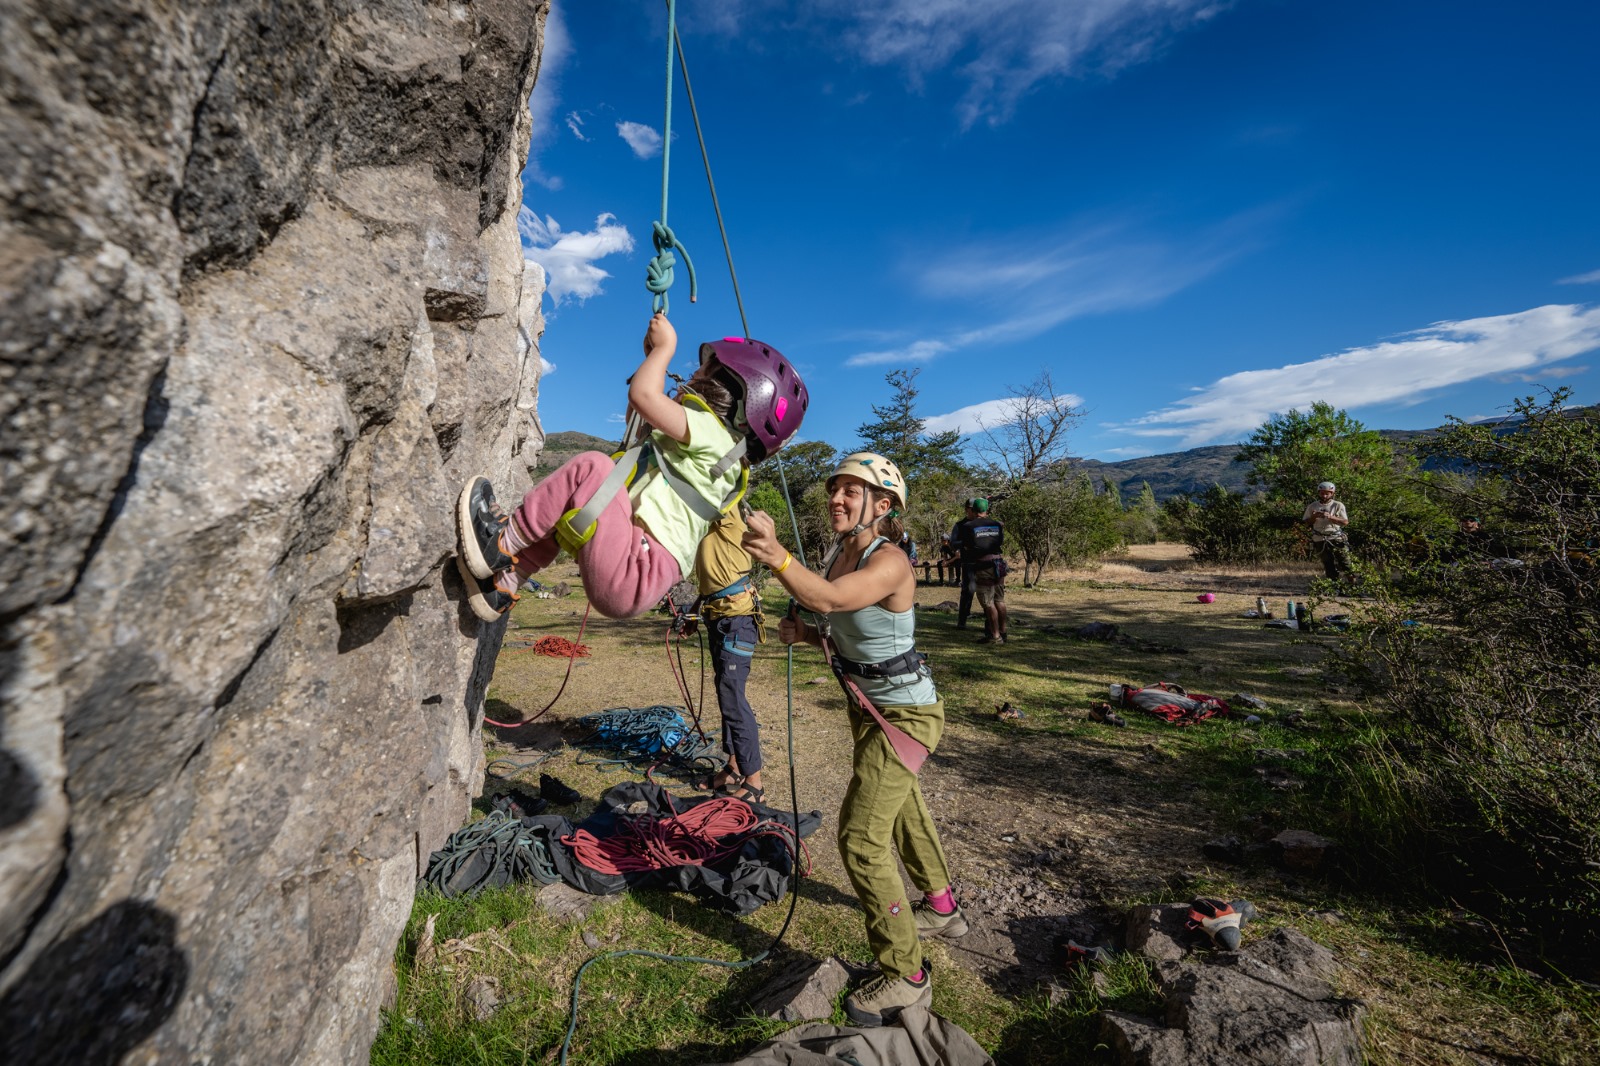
(262,310)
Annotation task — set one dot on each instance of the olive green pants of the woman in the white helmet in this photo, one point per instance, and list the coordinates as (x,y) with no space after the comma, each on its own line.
(882,814)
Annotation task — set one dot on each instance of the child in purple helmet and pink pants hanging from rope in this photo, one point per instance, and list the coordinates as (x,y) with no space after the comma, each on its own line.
(742,407)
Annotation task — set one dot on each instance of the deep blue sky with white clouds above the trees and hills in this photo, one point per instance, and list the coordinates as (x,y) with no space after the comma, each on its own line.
(1191,214)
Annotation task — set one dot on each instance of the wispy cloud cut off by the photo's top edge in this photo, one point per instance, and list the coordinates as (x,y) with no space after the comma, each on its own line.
(1002,49)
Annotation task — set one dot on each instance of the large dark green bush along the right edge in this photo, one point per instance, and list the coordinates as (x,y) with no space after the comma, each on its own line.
(1492,667)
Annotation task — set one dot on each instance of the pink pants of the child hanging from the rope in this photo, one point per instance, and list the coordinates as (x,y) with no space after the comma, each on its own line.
(626,571)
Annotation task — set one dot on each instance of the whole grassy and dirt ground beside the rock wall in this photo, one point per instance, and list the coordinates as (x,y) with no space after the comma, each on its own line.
(1054,825)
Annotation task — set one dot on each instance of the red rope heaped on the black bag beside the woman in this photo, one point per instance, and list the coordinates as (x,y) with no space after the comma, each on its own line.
(702,835)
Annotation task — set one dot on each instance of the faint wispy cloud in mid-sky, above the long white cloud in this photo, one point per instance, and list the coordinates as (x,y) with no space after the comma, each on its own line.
(1036,281)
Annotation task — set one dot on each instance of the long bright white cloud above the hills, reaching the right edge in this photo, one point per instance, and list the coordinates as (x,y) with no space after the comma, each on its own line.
(1393,372)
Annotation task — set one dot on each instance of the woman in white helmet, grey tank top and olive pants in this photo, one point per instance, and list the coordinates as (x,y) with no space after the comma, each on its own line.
(865,601)
